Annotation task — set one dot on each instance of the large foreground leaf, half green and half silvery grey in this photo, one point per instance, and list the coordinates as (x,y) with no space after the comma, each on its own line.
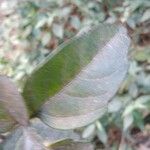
(78,79)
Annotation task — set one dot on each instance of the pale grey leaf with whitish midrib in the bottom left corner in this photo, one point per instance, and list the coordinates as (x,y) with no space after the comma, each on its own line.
(23,139)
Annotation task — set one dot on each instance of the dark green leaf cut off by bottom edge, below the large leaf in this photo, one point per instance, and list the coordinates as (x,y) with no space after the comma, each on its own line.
(69,145)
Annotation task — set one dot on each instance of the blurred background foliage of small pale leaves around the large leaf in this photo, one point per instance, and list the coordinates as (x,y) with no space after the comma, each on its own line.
(30,30)
